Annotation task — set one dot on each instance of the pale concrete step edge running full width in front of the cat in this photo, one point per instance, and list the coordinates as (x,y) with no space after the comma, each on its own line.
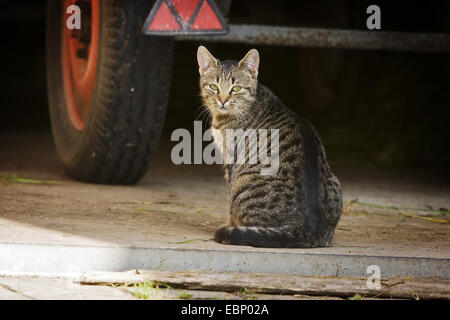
(44,258)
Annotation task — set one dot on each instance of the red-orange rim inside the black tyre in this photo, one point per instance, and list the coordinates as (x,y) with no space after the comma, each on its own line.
(79,59)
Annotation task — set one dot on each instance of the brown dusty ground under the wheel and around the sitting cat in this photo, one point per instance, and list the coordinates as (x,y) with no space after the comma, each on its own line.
(387,212)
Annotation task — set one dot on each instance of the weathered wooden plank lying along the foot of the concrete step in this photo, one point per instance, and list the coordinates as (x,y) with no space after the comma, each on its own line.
(392,287)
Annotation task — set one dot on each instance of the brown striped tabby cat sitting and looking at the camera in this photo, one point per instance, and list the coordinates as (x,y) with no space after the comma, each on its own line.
(300,205)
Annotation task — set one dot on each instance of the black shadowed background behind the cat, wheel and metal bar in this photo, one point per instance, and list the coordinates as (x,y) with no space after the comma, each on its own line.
(372,108)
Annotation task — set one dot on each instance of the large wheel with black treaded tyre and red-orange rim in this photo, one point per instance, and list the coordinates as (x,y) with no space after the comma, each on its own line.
(108,87)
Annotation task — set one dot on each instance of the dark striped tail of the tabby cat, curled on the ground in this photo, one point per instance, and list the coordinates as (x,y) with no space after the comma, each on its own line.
(256,237)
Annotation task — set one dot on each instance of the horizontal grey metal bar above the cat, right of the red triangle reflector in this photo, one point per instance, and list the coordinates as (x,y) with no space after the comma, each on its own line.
(329,38)
